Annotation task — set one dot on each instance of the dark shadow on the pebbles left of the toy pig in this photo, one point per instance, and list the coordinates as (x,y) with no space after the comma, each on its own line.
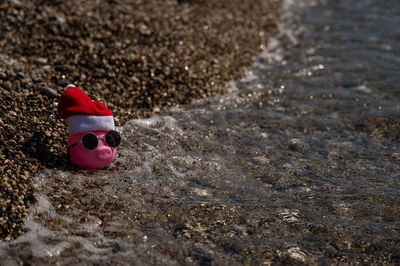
(37,148)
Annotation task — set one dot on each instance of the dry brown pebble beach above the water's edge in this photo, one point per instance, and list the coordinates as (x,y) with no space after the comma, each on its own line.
(138,60)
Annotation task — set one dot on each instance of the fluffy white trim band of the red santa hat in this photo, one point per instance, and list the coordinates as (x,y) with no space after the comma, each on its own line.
(82,123)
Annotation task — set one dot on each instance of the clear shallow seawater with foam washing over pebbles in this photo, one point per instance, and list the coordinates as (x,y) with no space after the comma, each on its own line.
(299,163)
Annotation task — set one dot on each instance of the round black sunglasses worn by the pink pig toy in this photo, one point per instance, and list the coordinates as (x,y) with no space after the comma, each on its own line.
(90,141)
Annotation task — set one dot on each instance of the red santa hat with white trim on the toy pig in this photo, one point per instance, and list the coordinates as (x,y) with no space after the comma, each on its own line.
(83,114)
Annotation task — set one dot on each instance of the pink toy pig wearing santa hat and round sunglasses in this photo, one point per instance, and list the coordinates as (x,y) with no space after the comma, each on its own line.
(93,140)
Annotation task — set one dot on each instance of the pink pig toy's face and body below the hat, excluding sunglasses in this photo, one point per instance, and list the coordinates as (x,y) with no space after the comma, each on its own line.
(101,157)
